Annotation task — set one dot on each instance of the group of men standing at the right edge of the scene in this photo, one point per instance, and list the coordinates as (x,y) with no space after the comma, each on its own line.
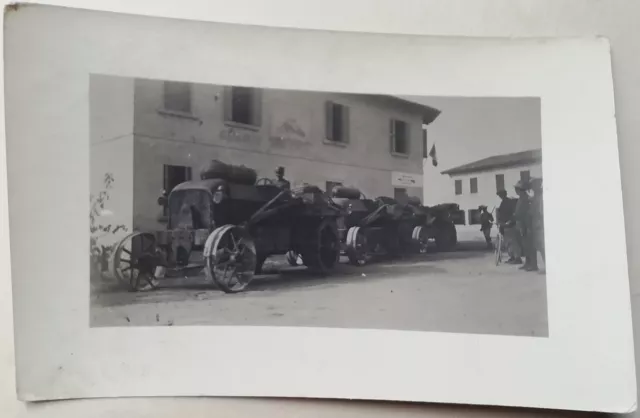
(521,222)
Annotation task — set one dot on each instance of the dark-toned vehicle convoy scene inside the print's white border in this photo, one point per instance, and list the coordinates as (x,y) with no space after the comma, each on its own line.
(234,205)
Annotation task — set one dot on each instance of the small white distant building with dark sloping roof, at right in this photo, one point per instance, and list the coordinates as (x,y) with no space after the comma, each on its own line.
(477,183)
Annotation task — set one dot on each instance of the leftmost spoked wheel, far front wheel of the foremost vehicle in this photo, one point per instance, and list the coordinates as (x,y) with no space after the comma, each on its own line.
(135,260)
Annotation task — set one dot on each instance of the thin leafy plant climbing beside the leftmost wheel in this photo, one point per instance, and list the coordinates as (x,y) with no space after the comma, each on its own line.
(100,253)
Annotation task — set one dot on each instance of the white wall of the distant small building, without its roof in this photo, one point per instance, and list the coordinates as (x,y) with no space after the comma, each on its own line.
(486,192)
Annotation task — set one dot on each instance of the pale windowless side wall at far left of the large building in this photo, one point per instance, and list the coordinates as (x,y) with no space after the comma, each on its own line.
(111,137)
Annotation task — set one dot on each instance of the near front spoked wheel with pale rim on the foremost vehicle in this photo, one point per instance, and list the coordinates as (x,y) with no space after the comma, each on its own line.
(230,258)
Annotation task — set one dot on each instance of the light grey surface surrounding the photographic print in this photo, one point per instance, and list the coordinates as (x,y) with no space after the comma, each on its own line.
(616,19)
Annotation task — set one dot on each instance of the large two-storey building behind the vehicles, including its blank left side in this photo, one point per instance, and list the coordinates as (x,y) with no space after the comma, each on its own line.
(152,135)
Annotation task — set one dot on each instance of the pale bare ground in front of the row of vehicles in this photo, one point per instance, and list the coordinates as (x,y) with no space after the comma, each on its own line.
(460,291)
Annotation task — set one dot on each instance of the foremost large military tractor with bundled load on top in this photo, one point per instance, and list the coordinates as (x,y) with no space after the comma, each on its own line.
(228,223)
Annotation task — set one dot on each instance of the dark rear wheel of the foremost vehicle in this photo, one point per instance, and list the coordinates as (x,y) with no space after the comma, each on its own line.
(322,253)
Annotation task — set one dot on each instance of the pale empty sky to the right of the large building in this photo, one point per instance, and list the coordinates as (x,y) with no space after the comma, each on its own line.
(471,129)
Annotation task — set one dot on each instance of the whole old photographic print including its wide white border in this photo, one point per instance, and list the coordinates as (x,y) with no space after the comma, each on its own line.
(209,209)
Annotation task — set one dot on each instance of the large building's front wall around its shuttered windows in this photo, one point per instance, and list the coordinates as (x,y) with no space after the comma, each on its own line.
(291,134)
